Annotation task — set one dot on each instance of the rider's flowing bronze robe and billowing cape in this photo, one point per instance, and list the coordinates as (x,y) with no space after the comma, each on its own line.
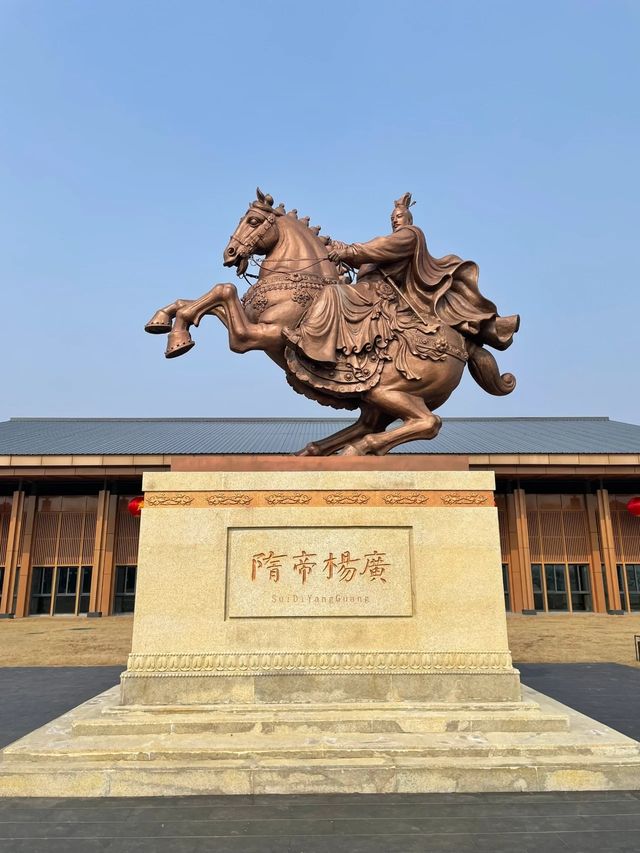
(352,319)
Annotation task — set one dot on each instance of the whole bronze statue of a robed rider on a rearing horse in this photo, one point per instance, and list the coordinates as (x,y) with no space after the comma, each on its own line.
(393,343)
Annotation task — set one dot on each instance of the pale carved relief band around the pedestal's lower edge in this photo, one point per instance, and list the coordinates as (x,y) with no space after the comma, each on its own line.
(273,663)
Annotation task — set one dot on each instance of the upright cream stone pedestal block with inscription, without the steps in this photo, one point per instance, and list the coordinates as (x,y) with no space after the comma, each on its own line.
(340,586)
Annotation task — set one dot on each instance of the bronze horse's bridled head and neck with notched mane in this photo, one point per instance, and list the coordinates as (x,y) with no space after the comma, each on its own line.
(264,227)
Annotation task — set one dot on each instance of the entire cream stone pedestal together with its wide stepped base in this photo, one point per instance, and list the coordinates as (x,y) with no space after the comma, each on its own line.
(319,631)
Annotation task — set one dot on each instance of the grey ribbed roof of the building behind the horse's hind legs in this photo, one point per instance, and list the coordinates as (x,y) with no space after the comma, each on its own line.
(64,436)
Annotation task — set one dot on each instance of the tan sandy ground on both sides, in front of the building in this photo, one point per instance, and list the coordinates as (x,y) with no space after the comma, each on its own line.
(59,641)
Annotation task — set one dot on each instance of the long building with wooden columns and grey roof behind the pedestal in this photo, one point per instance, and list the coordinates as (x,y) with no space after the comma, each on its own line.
(68,545)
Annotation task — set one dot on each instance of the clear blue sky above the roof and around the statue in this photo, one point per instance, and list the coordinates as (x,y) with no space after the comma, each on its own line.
(133,134)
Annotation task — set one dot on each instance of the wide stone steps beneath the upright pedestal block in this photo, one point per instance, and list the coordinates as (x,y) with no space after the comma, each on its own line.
(103,749)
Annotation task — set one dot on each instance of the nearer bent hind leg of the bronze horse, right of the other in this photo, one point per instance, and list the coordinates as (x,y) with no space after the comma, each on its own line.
(419,423)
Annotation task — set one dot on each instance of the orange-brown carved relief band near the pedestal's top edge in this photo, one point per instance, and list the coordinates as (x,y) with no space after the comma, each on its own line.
(333,498)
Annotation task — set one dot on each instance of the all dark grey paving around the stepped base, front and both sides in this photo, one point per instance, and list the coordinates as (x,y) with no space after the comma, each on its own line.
(563,822)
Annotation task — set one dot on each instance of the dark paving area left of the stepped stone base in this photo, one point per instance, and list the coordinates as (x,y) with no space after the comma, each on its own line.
(32,696)
